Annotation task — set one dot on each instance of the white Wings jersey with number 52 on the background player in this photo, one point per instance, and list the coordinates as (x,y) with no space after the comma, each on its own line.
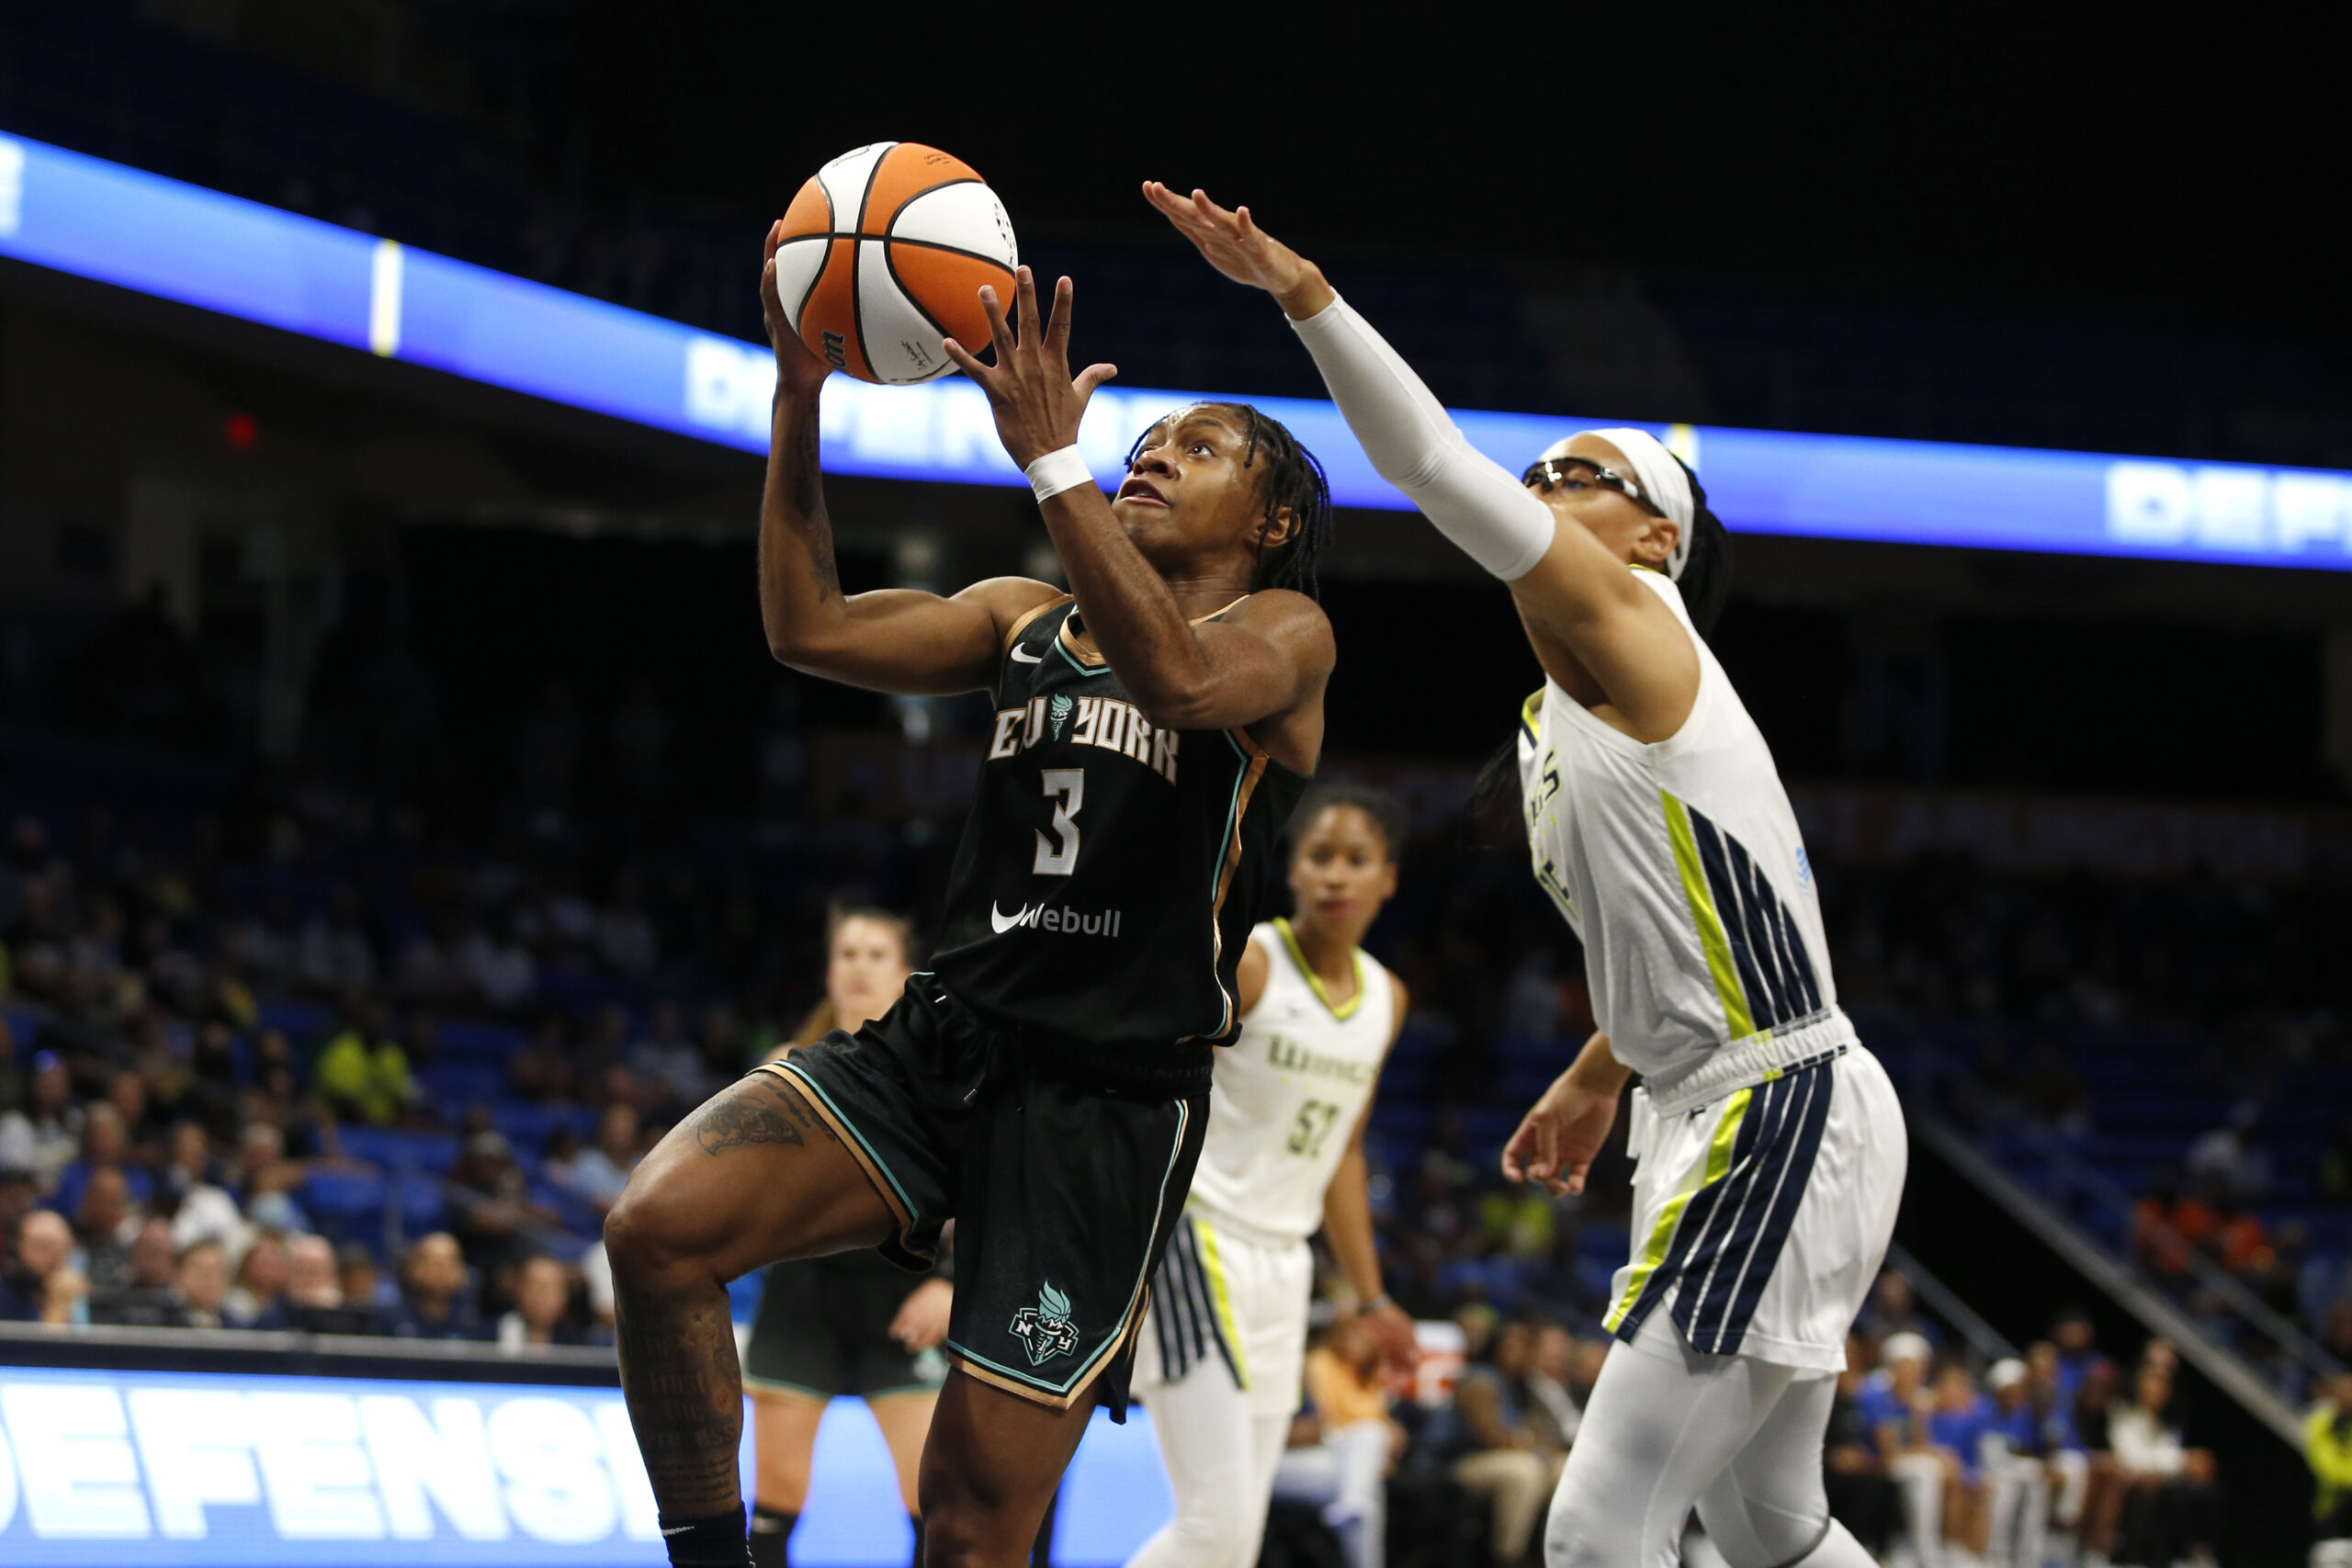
(1290,1092)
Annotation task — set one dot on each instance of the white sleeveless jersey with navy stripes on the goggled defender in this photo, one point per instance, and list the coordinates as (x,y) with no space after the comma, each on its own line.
(1681,869)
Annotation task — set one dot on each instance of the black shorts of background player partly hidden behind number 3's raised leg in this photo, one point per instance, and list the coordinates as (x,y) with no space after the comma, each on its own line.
(824,1329)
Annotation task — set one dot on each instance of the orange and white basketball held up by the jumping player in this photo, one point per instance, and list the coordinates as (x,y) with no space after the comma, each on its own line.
(886,253)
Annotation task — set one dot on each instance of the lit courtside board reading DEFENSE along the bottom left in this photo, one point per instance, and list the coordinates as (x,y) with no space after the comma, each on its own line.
(250,1470)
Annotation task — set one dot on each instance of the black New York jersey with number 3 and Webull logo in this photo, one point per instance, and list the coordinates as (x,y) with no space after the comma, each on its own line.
(1111,869)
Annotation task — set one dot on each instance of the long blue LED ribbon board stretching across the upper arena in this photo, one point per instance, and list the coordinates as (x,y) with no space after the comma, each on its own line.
(159,236)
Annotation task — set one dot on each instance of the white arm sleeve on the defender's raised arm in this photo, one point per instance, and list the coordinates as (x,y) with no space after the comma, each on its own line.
(1417,445)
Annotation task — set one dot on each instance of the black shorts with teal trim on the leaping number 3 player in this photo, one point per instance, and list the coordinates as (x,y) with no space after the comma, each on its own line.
(1064,1177)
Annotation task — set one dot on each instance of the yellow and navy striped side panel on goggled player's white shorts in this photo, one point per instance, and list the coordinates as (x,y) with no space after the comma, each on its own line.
(1720,1238)
